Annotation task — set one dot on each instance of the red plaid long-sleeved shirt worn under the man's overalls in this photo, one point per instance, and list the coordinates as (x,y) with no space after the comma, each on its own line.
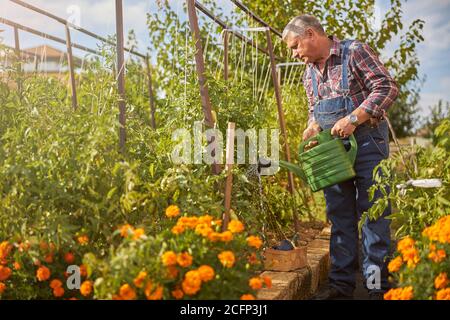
(371,86)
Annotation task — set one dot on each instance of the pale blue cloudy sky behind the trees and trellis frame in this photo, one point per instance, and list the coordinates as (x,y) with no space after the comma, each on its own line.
(99,16)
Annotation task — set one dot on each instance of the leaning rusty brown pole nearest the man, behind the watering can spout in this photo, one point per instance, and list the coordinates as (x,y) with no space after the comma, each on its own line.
(282,122)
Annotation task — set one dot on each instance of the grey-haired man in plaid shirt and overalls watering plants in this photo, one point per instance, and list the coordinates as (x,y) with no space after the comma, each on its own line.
(348,90)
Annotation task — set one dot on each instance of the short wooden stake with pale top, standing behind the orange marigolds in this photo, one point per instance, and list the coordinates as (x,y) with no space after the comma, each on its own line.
(229,182)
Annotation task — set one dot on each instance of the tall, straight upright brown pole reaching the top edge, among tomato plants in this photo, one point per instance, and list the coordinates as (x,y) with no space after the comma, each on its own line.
(120,74)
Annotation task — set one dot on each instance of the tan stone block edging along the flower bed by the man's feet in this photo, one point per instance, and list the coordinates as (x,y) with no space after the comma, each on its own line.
(302,283)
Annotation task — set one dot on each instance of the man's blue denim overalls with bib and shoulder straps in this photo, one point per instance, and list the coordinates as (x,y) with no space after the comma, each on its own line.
(345,202)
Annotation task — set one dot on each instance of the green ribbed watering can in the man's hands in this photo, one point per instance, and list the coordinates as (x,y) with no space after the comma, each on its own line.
(325,164)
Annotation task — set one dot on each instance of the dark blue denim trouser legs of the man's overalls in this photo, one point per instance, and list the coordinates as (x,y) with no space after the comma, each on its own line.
(345,203)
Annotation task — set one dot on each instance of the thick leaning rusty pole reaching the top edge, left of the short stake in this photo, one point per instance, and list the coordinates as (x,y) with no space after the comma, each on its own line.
(200,67)
